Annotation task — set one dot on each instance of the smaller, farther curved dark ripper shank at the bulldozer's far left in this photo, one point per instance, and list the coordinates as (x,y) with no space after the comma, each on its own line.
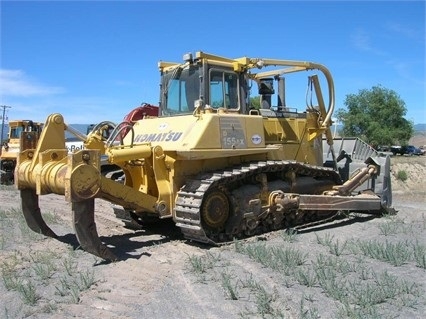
(32,213)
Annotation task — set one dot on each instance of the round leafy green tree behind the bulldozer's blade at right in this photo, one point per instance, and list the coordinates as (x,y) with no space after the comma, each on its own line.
(376,116)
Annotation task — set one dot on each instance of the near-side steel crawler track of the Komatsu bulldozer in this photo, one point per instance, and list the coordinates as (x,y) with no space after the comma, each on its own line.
(197,193)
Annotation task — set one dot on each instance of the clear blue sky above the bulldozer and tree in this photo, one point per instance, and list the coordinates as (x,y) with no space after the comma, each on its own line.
(96,60)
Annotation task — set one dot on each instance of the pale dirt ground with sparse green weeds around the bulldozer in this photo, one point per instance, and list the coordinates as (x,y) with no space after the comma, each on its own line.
(354,267)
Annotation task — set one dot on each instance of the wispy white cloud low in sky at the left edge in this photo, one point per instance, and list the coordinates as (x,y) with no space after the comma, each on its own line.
(17,83)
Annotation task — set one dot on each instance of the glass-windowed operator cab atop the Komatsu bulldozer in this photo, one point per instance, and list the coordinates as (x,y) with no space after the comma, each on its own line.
(198,82)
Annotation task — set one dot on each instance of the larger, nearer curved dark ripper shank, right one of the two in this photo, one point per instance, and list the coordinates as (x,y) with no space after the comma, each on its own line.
(85,229)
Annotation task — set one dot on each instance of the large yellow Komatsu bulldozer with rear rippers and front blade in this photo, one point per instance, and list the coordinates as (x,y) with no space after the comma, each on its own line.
(221,168)
